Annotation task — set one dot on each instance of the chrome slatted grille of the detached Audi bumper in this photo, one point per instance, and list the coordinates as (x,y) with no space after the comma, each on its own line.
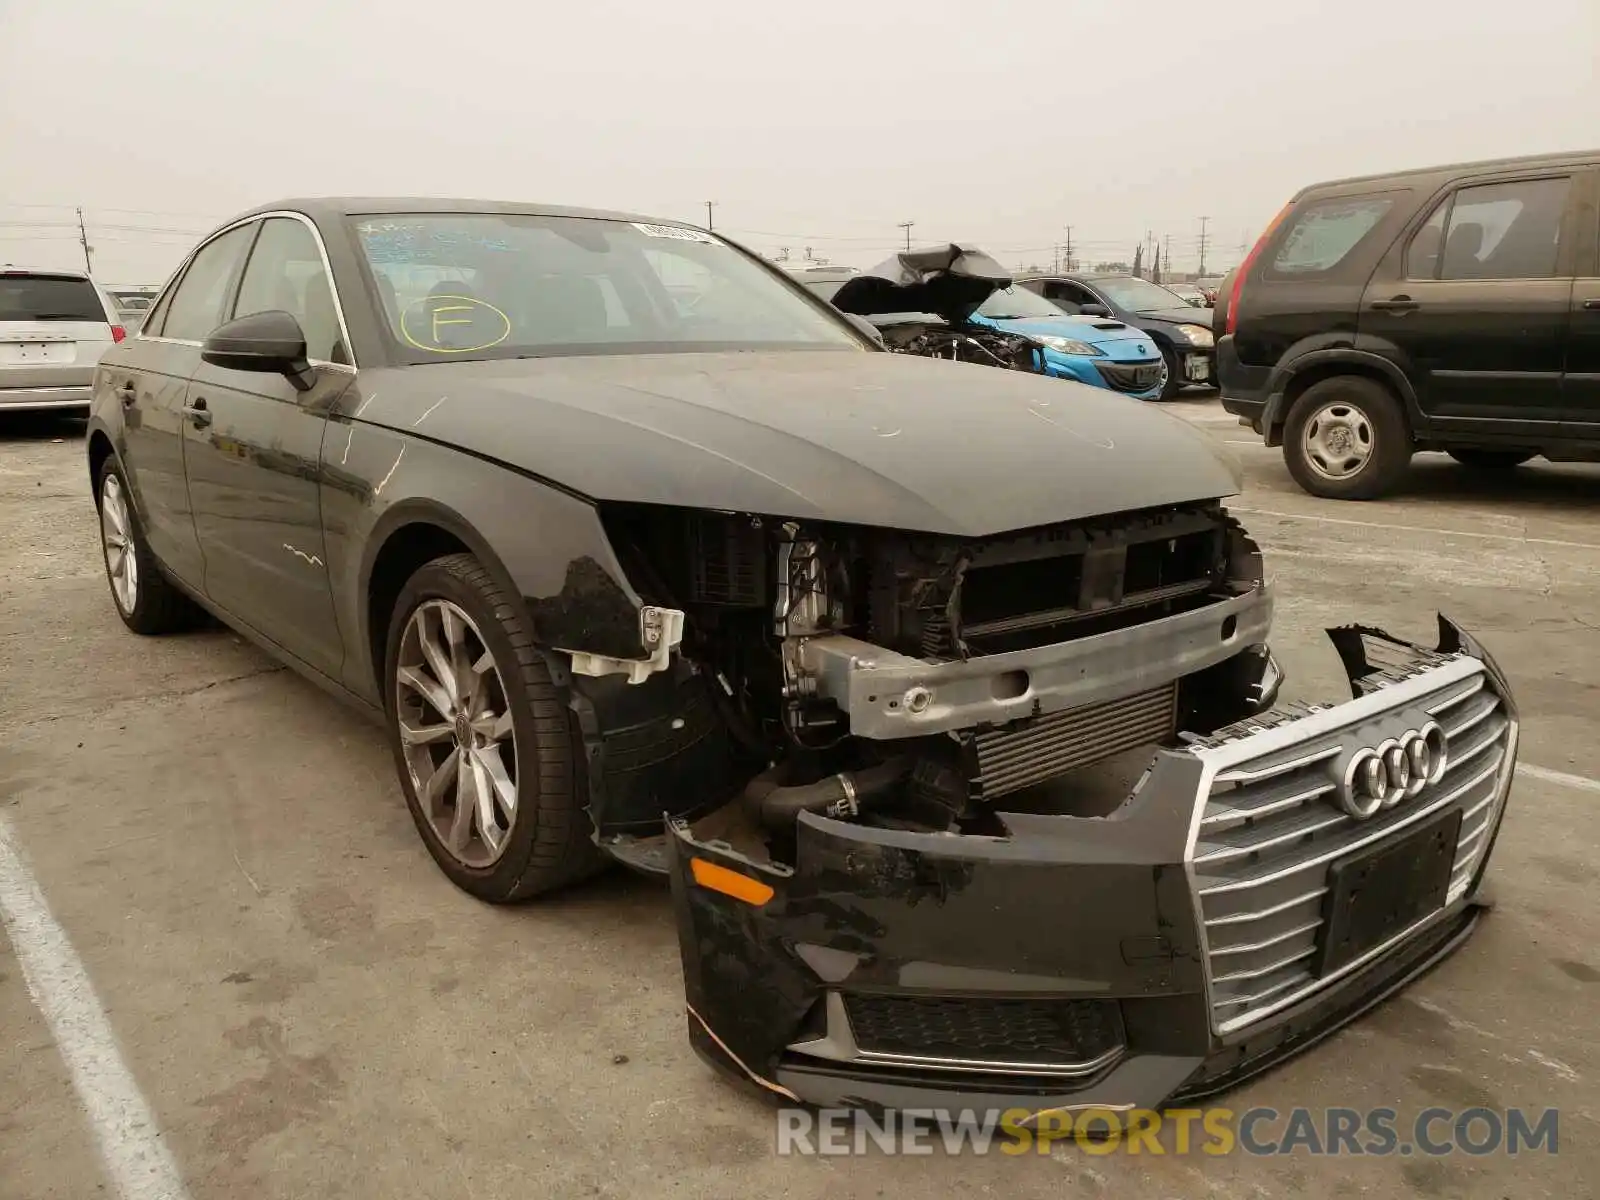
(1271,828)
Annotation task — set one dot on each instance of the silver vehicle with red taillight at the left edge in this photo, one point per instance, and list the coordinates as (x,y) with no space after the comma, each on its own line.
(55,326)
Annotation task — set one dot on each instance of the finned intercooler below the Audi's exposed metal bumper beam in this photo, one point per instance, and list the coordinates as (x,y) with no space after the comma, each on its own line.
(1009,761)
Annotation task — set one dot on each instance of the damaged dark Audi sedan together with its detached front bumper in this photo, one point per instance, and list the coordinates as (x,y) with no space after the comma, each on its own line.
(942,694)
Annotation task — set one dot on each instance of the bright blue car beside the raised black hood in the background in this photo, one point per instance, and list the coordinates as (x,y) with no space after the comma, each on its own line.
(1092,351)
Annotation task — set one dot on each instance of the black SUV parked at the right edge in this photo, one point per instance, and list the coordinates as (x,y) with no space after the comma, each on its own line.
(1452,308)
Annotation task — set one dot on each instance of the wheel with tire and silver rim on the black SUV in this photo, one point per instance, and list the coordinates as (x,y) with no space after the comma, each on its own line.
(1348,439)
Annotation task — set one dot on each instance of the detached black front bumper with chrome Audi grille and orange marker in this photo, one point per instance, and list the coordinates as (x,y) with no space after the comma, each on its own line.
(1218,922)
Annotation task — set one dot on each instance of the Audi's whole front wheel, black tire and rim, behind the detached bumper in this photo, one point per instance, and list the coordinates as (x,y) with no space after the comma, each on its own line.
(482,740)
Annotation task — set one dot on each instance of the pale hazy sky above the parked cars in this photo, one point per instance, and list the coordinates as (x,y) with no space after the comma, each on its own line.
(818,124)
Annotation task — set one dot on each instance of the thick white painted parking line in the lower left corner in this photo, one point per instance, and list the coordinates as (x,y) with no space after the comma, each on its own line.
(137,1161)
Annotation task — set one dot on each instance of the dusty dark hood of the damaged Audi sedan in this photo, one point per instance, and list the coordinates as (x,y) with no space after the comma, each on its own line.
(844,436)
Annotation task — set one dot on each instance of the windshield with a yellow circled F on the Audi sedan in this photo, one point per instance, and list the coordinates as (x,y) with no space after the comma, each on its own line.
(479,286)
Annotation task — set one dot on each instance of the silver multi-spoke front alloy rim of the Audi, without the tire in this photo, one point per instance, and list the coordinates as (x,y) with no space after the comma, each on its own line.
(457,734)
